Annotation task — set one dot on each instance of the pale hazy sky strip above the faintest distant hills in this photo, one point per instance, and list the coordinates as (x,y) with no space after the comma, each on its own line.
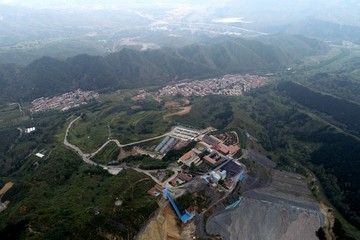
(340,11)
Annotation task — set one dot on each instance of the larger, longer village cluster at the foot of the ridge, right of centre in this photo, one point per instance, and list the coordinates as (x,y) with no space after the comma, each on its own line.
(229,85)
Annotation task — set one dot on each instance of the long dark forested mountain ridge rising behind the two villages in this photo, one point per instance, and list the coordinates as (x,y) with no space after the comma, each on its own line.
(131,68)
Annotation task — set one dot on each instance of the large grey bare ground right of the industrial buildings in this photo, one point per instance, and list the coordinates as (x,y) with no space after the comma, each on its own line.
(283,210)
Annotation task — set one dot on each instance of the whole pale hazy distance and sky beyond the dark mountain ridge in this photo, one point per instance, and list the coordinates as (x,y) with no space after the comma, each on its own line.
(62,29)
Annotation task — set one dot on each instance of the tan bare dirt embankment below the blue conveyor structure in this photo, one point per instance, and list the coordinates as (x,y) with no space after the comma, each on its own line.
(162,227)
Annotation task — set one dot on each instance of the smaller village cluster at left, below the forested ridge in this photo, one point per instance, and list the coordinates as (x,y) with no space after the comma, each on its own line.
(63,102)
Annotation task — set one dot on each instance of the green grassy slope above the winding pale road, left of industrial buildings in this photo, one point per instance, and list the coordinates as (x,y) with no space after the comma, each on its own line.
(124,124)
